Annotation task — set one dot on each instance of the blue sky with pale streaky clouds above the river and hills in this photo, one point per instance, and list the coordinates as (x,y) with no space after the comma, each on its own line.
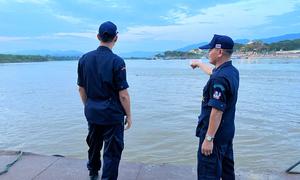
(143,25)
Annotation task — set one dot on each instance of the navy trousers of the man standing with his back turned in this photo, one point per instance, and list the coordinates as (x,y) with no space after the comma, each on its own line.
(113,138)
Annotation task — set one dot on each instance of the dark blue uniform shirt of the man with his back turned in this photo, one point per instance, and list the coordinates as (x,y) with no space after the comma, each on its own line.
(102,74)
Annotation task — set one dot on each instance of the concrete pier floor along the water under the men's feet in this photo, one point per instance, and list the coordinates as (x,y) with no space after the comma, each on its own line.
(40,167)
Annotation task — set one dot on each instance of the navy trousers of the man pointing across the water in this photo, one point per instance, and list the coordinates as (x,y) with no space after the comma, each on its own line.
(220,164)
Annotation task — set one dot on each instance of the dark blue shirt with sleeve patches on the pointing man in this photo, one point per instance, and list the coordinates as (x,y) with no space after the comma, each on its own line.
(220,92)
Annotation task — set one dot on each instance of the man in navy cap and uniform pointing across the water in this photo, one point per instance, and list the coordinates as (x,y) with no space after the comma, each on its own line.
(216,122)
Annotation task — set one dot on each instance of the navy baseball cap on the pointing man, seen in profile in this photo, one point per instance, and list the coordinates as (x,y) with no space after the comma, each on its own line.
(219,41)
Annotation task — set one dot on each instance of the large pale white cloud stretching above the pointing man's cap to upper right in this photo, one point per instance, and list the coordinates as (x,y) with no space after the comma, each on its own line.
(236,19)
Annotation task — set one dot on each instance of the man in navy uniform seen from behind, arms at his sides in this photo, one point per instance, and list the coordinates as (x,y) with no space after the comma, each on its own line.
(103,91)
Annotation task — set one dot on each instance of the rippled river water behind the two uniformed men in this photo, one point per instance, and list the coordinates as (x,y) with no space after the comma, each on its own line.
(40,111)
